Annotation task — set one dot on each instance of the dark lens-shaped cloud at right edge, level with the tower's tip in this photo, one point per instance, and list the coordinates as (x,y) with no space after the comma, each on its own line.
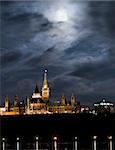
(98,72)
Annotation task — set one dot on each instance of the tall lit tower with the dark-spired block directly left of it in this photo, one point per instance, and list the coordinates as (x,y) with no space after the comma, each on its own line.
(36,104)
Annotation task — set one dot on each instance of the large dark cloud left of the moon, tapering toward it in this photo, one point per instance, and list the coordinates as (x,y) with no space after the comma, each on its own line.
(19,28)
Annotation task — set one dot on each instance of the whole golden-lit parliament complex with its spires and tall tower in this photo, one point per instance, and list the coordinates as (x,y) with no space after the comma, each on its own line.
(40,103)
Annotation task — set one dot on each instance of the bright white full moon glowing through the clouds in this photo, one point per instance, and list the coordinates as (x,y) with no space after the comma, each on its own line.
(61,15)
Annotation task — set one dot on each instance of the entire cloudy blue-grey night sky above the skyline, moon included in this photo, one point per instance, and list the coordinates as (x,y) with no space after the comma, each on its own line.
(74,40)
